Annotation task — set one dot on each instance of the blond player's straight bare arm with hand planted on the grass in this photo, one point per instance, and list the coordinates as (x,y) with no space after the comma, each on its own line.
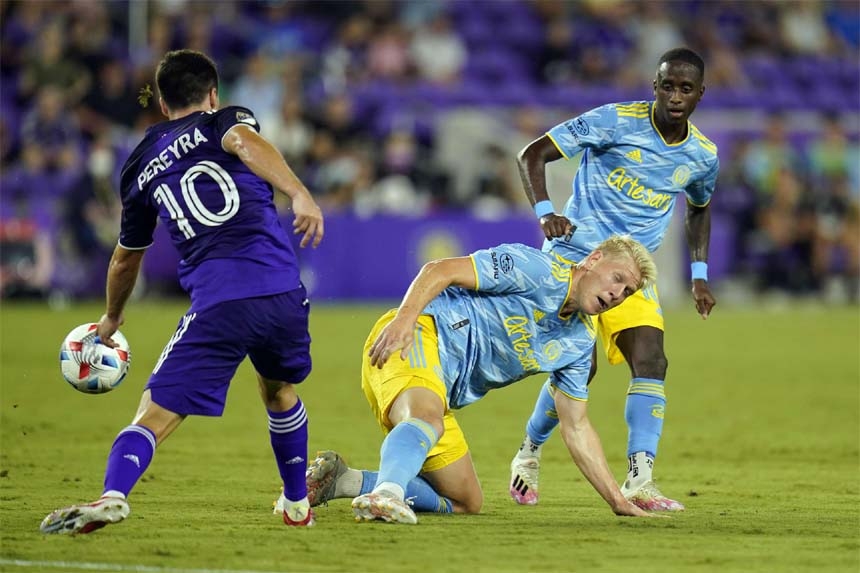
(584,446)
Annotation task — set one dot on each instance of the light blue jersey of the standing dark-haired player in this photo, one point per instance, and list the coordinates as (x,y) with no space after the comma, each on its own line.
(629,177)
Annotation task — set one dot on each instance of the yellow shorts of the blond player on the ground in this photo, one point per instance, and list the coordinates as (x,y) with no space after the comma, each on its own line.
(420,370)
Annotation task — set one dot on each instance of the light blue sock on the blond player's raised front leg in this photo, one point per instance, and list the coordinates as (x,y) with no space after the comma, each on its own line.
(404,450)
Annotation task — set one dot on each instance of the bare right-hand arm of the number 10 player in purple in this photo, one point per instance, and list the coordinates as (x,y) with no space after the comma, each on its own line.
(266,162)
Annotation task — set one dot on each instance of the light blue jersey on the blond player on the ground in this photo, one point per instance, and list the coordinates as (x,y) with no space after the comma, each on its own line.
(509,327)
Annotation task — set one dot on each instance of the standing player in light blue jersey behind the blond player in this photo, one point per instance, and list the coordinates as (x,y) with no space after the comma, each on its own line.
(637,158)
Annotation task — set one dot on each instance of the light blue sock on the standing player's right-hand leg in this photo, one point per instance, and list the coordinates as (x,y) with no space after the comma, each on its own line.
(646,403)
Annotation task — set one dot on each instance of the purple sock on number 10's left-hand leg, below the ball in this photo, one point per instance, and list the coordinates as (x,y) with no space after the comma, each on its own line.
(129,457)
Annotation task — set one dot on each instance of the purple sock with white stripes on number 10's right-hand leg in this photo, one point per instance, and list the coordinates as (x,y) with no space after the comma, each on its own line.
(289,434)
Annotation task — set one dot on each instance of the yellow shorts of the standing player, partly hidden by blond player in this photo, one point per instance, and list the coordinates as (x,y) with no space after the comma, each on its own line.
(641,309)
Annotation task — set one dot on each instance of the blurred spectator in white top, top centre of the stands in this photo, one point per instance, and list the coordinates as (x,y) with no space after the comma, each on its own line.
(438,52)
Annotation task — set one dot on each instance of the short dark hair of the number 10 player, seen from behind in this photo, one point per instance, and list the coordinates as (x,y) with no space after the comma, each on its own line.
(185,77)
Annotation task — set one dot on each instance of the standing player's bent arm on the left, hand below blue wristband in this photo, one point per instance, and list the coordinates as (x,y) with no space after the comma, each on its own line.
(531,162)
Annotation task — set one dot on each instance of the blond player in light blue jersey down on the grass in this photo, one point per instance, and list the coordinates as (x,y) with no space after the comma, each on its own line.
(468,325)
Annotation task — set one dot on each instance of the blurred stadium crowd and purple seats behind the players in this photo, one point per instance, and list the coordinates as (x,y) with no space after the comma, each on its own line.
(410,107)
